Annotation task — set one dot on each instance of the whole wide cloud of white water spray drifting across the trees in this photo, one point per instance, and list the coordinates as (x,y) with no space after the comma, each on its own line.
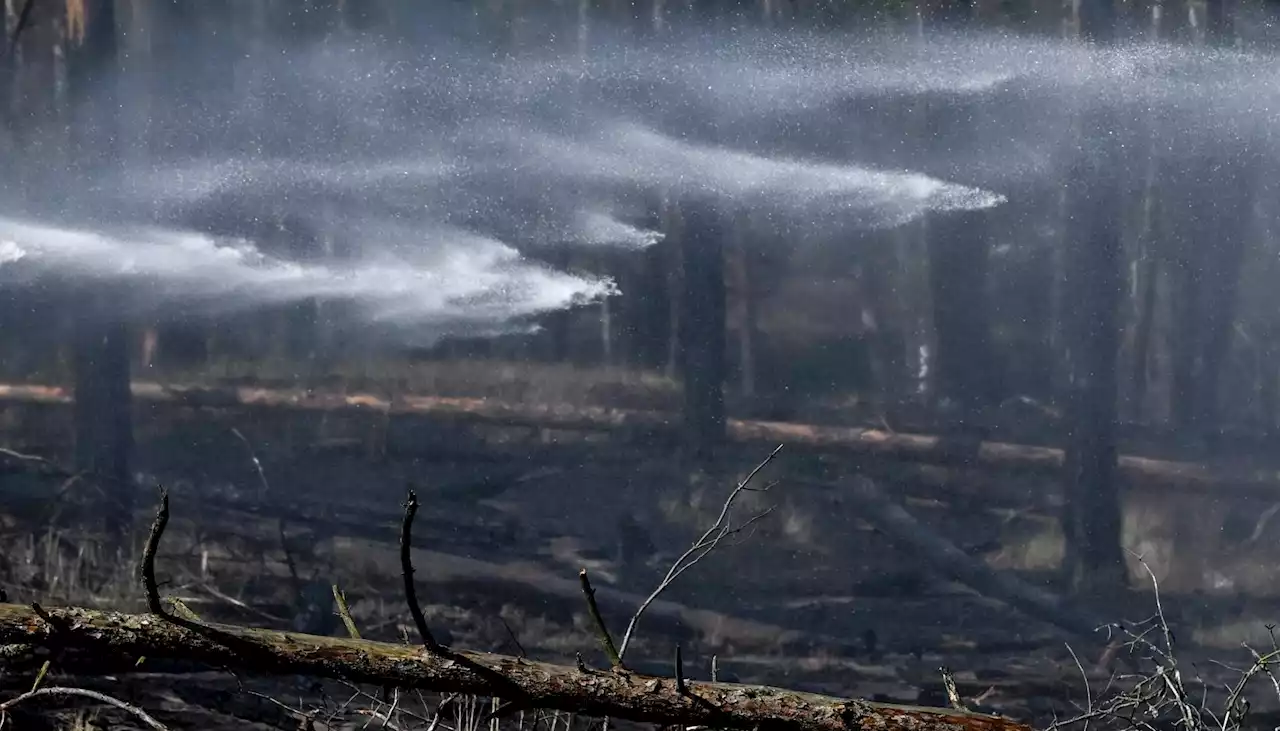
(441,175)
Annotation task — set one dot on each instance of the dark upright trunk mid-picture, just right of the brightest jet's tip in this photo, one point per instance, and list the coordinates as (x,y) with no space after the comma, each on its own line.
(702,326)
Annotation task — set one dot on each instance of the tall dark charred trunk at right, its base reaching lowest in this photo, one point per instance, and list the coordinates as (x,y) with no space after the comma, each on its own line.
(1094,281)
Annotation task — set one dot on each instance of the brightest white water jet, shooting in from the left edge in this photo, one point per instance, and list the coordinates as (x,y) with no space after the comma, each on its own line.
(464,280)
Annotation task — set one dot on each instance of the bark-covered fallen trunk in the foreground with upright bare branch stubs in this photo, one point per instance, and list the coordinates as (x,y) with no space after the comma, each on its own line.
(112,642)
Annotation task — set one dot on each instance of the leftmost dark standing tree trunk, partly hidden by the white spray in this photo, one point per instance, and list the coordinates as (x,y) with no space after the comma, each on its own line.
(104,431)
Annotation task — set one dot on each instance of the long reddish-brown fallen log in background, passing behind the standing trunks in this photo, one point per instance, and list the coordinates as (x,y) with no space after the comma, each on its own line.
(1141,472)
